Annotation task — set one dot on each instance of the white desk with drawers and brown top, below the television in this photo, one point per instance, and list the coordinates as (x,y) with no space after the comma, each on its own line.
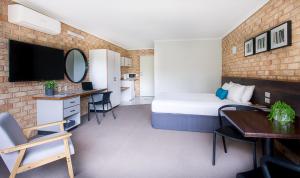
(59,107)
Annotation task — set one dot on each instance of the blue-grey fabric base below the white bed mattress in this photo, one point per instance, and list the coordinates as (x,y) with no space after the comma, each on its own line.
(185,122)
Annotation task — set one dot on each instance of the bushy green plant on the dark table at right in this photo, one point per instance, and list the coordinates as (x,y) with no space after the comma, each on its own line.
(282,112)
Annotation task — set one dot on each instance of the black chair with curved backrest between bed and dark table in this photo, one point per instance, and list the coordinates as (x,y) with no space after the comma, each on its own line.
(229,131)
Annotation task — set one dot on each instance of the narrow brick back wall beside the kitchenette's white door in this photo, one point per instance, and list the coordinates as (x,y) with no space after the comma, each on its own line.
(135,68)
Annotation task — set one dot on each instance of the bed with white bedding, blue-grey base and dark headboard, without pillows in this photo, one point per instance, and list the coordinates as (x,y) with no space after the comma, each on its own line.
(196,112)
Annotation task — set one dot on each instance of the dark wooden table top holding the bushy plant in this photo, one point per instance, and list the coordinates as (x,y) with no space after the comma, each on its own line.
(256,124)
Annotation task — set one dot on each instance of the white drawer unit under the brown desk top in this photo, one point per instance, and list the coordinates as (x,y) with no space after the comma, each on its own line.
(49,110)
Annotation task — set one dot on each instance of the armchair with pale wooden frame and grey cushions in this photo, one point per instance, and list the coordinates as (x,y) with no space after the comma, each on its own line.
(21,154)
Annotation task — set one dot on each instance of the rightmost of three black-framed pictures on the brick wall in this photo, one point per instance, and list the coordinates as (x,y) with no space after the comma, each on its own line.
(281,35)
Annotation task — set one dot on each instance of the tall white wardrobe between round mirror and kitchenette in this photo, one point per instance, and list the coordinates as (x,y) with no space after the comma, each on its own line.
(105,72)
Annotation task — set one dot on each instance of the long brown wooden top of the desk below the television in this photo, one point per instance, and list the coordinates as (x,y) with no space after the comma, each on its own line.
(69,94)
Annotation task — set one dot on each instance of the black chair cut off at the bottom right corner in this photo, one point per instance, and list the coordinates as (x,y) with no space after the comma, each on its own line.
(272,167)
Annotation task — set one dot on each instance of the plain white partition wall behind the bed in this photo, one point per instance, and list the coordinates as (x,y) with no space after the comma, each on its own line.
(187,66)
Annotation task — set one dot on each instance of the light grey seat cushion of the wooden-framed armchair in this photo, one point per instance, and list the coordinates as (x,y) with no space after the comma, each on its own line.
(46,150)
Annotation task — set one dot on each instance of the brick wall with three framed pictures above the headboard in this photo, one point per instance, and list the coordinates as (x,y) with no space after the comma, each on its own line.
(279,64)
